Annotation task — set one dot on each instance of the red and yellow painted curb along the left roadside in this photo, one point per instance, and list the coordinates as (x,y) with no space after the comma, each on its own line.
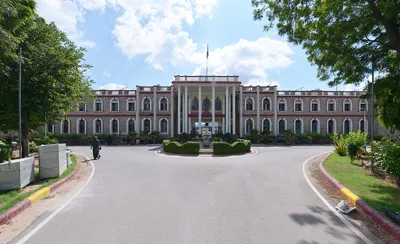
(33,198)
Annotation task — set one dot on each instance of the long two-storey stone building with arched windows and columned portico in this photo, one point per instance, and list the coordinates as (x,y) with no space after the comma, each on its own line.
(218,103)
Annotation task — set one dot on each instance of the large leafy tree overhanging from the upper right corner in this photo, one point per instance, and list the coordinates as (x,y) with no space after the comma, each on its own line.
(346,39)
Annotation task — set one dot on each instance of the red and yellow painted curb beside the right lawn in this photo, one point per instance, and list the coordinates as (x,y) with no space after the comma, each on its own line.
(382,221)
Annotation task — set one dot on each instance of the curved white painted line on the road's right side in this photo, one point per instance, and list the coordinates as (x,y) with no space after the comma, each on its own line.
(343,219)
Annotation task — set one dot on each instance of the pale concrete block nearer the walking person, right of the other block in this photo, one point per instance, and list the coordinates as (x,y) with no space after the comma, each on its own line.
(52,160)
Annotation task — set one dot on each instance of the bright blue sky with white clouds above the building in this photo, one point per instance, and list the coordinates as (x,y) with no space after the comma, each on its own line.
(147,42)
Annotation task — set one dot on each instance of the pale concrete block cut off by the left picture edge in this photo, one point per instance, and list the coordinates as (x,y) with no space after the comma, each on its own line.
(16,174)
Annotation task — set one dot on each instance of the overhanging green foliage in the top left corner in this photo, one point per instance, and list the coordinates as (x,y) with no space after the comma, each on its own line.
(14,18)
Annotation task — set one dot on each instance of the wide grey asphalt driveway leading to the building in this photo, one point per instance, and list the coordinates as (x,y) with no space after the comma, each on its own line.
(137,196)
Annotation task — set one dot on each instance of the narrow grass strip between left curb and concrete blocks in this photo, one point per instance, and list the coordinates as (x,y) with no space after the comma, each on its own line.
(10,198)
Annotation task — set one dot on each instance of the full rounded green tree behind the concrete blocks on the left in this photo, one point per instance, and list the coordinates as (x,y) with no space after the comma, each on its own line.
(53,80)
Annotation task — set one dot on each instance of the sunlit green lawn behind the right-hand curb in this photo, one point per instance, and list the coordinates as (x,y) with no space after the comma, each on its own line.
(375,191)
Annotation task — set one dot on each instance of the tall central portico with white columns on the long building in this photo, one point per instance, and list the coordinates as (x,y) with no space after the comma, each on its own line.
(208,101)
